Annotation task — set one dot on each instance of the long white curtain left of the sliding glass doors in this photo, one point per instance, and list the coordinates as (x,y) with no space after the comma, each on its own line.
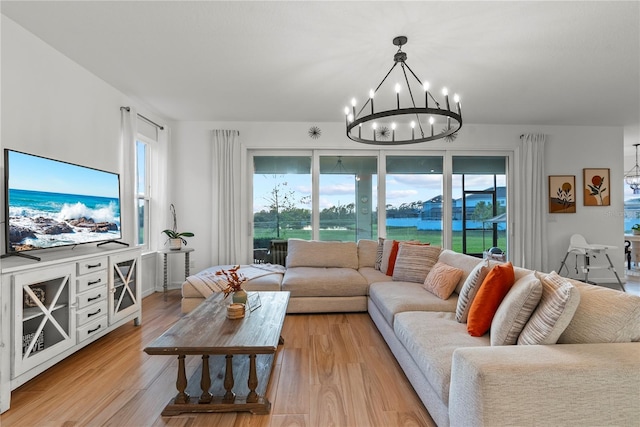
(226,212)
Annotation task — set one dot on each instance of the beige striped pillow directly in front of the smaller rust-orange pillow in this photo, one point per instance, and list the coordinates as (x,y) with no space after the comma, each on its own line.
(414,261)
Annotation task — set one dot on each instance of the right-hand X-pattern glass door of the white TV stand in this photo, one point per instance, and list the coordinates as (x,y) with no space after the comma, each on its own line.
(124,282)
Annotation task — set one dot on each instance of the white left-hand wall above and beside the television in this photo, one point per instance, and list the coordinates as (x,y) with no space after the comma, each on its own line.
(55,108)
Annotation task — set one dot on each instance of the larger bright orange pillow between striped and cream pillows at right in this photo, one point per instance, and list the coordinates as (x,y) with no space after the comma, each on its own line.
(491,293)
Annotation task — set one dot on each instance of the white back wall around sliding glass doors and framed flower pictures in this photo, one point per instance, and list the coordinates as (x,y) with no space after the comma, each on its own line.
(569,150)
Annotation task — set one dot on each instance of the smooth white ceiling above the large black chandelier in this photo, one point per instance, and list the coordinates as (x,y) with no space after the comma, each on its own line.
(539,63)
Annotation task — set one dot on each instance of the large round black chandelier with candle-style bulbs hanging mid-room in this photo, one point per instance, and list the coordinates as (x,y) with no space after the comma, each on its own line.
(405,122)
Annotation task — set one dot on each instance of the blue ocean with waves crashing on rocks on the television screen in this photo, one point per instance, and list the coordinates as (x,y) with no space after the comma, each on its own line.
(39,219)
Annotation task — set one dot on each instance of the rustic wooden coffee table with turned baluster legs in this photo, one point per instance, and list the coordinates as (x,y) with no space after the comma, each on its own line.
(237,354)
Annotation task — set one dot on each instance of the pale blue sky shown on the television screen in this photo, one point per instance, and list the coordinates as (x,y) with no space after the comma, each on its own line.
(28,172)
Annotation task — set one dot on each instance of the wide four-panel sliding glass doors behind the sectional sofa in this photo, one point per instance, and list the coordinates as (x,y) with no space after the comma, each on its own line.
(329,196)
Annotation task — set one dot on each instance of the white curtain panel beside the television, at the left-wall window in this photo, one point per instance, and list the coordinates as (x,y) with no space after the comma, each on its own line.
(129,212)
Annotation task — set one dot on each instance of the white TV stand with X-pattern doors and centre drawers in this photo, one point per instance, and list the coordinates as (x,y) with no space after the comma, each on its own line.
(54,307)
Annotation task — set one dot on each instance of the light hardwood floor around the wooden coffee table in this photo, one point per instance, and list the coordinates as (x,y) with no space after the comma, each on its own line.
(333,370)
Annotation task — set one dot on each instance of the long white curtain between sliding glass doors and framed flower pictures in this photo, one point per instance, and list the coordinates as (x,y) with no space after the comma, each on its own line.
(533,203)
